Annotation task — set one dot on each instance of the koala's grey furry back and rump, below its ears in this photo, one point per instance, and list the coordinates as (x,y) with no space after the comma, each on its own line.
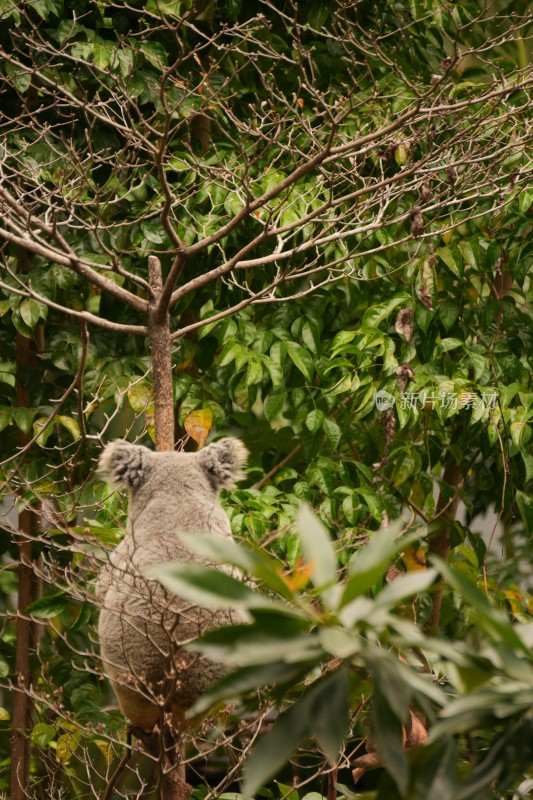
(142,627)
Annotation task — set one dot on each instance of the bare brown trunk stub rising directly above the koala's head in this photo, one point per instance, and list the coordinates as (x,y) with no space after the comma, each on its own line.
(161,356)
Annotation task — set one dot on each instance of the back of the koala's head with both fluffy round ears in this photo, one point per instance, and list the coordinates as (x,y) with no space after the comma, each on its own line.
(217,466)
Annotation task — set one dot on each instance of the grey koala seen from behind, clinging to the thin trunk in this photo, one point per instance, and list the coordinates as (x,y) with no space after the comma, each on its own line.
(142,627)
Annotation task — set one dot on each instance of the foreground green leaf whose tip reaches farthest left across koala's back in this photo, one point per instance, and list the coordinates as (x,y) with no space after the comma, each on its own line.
(207,586)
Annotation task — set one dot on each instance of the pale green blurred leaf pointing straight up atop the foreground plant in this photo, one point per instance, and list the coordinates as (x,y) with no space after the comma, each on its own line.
(318,550)
